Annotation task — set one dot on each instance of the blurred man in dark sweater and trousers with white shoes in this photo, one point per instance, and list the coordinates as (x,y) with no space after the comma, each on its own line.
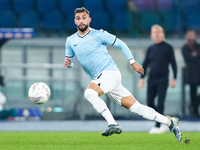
(158,58)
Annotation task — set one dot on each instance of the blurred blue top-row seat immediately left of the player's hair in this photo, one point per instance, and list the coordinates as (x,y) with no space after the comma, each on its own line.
(68,6)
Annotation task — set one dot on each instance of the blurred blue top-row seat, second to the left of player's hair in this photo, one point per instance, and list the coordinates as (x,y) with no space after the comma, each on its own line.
(46,6)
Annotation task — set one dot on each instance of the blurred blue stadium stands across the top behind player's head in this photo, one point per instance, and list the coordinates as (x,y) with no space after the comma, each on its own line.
(130,18)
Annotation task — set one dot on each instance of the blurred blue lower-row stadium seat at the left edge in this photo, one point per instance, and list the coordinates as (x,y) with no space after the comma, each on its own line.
(7,20)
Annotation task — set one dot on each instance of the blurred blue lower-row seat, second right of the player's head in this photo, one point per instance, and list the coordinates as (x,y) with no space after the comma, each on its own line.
(121,21)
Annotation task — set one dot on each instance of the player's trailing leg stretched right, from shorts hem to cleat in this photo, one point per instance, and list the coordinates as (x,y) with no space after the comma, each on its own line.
(146,112)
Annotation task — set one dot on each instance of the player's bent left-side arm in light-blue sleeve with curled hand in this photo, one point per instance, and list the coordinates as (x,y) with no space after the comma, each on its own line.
(69,55)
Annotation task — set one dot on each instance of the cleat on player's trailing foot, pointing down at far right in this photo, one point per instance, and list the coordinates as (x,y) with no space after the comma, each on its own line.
(175,129)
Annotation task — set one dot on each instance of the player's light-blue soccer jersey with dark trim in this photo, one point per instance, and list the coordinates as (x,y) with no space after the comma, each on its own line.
(90,50)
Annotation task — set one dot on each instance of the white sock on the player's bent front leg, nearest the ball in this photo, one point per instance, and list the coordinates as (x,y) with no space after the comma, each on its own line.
(99,105)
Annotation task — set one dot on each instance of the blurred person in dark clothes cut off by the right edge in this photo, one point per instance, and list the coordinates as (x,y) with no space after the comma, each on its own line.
(191,54)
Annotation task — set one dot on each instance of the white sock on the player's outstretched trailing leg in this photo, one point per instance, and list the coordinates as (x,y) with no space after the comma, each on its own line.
(149,113)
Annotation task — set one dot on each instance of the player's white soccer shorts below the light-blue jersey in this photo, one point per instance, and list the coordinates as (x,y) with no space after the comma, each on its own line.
(110,83)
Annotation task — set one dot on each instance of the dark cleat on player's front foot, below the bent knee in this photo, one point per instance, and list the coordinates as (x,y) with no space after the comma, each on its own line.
(112,129)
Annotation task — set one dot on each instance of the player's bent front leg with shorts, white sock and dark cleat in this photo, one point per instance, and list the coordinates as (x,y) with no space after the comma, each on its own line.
(106,81)
